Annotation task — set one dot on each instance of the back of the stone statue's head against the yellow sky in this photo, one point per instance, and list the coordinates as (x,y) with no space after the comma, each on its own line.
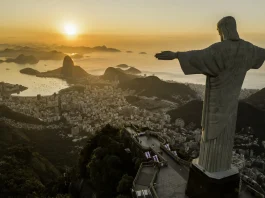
(227,29)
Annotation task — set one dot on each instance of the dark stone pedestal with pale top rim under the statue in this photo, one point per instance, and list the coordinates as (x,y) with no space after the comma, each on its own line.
(202,184)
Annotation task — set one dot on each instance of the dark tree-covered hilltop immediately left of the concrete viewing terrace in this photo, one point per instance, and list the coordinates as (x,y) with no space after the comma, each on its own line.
(104,162)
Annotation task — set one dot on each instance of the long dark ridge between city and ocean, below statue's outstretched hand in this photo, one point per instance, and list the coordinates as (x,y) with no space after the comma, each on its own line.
(153,86)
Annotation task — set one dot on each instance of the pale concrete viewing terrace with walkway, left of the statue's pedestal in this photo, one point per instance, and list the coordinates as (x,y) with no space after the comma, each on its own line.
(167,181)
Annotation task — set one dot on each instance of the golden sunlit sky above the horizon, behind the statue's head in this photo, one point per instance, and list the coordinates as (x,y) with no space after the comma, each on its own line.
(111,20)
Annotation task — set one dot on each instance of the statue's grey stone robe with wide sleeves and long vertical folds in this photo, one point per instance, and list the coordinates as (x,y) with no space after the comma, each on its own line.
(225,65)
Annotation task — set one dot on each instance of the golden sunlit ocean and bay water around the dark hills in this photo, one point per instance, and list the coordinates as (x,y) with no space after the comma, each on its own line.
(96,64)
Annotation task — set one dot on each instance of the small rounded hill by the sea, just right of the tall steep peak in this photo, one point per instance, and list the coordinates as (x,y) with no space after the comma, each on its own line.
(114,74)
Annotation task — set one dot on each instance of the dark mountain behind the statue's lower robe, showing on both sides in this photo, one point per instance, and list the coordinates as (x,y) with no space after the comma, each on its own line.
(247,116)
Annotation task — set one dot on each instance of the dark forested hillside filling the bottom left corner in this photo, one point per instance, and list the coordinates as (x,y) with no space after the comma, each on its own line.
(25,173)
